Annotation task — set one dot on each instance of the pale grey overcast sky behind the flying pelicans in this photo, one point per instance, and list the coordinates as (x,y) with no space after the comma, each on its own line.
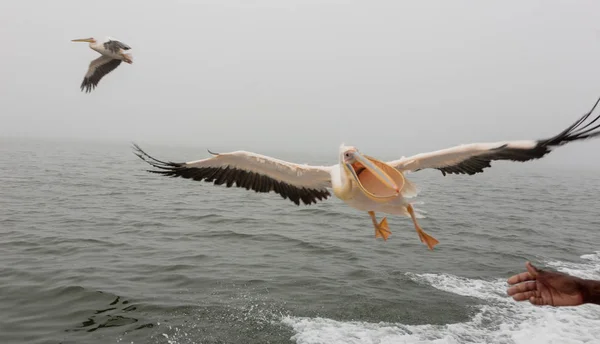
(391,77)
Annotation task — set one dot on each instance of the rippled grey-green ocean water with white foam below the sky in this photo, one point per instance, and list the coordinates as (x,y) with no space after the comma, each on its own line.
(93,249)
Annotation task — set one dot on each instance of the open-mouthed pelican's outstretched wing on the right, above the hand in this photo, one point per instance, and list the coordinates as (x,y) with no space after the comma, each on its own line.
(473,158)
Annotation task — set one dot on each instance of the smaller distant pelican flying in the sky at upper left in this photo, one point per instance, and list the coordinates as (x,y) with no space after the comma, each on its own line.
(112,51)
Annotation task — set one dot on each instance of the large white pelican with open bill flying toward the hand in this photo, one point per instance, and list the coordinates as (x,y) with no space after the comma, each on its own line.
(363,182)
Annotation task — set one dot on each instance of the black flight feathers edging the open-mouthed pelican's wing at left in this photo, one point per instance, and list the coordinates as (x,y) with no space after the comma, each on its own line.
(233,176)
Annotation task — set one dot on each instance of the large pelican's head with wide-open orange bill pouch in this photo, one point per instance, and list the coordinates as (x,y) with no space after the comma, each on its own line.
(376,179)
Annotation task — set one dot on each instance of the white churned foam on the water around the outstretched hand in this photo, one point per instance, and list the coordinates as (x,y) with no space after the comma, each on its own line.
(499,319)
